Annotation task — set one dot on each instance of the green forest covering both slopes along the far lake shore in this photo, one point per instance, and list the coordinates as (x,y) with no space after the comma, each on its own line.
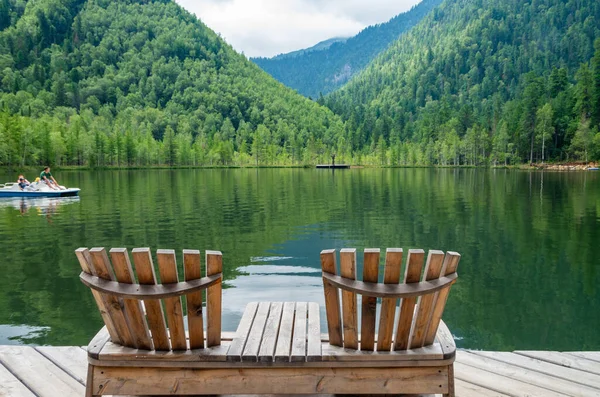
(98,83)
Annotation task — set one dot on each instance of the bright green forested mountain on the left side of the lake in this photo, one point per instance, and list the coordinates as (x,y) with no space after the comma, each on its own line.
(101,82)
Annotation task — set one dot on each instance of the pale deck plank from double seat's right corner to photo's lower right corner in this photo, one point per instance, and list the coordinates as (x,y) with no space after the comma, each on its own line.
(525,375)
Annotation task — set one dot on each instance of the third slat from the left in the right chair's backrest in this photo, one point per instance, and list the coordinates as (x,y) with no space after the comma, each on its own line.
(369,304)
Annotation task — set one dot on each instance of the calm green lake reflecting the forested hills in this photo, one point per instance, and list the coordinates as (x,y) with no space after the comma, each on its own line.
(530,243)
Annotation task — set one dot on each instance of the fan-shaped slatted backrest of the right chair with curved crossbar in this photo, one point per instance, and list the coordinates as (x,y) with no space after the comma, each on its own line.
(422,298)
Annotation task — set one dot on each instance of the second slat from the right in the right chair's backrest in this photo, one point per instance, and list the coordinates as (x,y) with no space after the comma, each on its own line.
(433,270)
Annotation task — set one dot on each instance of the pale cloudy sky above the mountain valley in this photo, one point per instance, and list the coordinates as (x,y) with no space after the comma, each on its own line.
(271,27)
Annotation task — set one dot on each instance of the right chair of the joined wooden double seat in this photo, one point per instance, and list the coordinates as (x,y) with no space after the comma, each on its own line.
(419,357)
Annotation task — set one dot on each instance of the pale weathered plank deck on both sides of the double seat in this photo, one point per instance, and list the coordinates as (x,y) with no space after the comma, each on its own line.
(61,371)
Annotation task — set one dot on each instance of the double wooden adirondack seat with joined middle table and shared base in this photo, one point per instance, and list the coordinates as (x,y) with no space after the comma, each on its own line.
(276,349)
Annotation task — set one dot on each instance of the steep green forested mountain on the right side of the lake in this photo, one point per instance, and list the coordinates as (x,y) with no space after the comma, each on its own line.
(482,81)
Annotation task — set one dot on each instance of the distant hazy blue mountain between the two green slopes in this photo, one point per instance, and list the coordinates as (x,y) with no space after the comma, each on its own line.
(319,72)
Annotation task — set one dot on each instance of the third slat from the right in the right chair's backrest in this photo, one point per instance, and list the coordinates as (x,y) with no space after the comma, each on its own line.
(407,309)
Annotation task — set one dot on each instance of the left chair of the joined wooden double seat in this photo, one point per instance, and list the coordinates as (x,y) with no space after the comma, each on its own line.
(136,335)
